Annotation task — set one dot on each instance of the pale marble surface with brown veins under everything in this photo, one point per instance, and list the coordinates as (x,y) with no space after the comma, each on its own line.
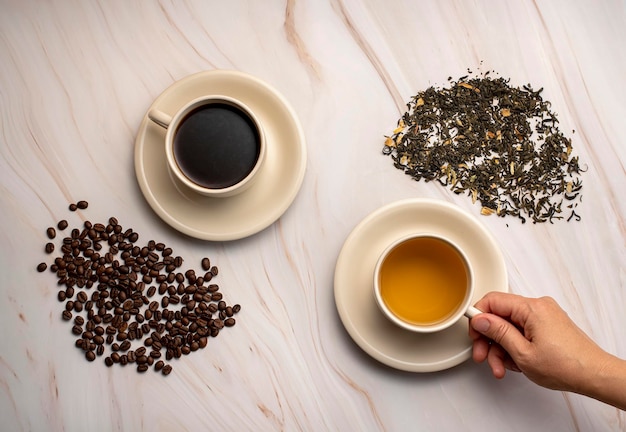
(76,78)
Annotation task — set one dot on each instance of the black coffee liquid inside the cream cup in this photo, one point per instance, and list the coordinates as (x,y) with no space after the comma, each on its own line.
(216,146)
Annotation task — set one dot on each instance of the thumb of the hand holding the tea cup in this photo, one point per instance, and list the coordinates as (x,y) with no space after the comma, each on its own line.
(502,332)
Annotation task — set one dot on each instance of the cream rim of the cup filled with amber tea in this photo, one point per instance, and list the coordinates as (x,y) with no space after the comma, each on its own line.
(464,309)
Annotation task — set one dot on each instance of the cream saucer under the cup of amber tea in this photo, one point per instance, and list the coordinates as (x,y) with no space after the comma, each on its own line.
(354,274)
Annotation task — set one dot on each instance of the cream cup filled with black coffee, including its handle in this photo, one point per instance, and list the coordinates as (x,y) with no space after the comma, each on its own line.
(214,145)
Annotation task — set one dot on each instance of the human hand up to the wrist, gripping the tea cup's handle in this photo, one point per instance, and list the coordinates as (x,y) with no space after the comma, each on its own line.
(536,337)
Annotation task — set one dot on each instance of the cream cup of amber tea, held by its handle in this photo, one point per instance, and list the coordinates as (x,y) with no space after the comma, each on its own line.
(423,282)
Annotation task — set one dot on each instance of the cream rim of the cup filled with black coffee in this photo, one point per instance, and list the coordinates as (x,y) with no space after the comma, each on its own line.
(175,122)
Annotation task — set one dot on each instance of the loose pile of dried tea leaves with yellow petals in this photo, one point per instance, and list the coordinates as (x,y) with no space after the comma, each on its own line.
(498,144)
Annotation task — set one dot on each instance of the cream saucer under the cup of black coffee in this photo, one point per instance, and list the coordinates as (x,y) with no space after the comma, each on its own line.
(251,211)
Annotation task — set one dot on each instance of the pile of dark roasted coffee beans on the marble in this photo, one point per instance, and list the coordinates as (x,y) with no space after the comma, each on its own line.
(118,294)
